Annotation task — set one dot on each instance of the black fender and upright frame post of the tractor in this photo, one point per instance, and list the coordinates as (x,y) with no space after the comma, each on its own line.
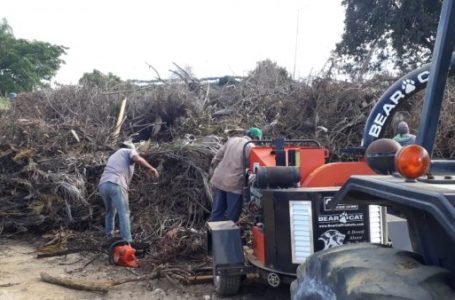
(428,204)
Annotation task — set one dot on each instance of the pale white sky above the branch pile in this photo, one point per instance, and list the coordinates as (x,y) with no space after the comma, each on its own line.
(214,37)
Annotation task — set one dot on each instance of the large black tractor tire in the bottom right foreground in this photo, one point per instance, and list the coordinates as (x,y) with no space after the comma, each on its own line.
(369,271)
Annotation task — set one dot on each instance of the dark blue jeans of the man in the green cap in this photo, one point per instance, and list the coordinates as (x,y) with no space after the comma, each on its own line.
(226,203)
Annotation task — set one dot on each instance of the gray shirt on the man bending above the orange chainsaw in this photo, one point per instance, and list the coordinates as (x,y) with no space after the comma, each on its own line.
(119,168)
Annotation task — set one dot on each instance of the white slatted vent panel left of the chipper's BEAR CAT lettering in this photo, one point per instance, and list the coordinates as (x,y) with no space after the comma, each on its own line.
(301,220)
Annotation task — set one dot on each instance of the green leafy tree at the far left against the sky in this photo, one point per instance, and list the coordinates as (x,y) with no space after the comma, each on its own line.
(24,64)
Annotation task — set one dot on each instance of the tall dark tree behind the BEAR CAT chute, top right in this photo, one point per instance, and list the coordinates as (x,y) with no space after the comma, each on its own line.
(387,34)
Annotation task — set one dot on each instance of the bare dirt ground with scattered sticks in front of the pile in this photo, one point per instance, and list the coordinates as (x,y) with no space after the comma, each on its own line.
(20,279)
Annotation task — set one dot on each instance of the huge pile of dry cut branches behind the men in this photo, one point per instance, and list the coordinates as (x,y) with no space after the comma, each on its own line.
(54,144)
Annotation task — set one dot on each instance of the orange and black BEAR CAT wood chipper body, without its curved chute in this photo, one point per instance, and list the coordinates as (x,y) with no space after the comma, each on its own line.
(289,186)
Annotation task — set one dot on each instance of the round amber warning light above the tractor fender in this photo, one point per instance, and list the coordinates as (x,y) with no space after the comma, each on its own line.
(412,161)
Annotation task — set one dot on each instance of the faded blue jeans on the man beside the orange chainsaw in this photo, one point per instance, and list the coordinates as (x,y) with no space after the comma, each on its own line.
(116,201)
